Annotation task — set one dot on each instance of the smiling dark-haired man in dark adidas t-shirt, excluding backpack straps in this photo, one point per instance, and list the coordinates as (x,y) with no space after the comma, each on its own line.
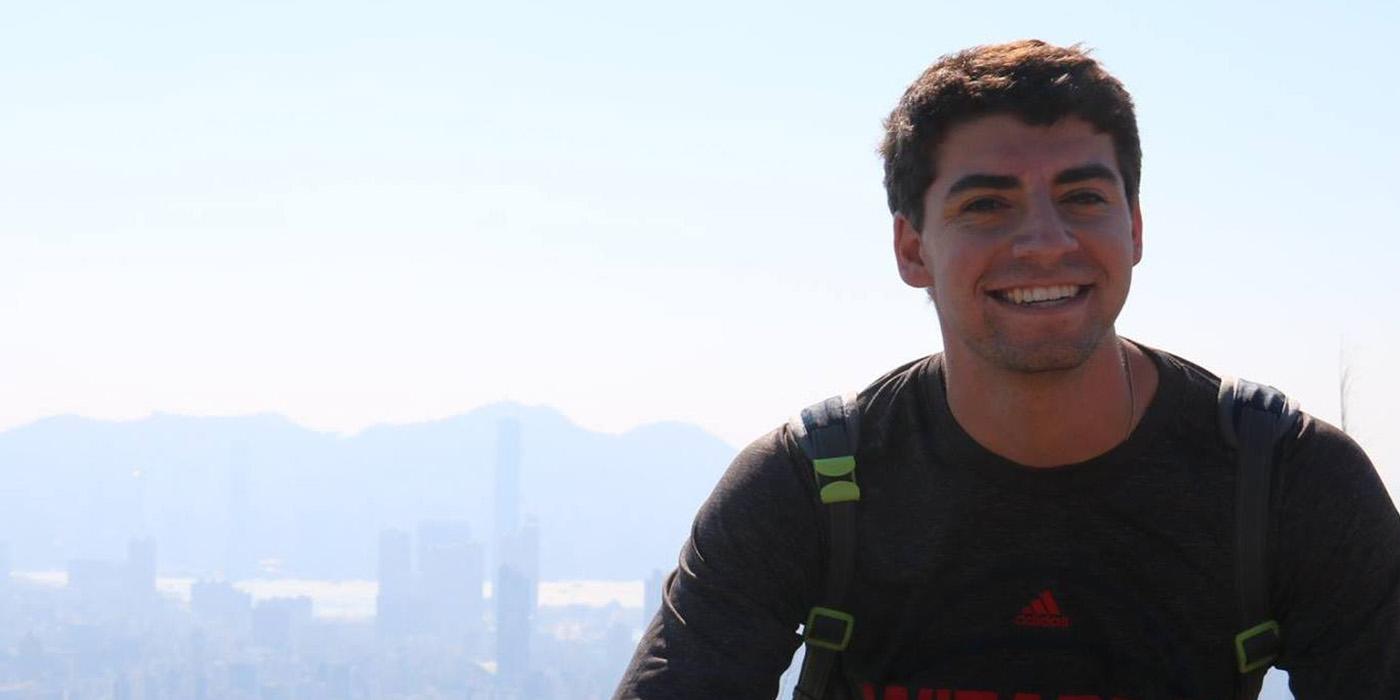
(1046,510)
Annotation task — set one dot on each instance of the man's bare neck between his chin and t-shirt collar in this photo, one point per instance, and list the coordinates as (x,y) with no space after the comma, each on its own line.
(1055,418)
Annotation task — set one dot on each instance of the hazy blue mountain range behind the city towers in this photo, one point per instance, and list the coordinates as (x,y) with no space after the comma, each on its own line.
(222,495)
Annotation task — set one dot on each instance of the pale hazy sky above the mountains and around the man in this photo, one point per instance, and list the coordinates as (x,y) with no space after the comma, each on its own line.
(388,212)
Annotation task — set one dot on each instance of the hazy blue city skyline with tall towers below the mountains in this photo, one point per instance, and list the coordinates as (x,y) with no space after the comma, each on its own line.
(117,629)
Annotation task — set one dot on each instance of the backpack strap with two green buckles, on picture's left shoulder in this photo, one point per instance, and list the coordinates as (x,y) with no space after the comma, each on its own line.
(828,435)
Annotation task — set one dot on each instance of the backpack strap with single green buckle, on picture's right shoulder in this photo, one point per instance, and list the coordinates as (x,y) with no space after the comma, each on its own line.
(1254,419)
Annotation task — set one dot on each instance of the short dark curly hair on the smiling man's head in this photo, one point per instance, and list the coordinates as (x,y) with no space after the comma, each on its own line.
(1030,79)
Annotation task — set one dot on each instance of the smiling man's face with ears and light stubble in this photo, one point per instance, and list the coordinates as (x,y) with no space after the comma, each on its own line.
(1028,243)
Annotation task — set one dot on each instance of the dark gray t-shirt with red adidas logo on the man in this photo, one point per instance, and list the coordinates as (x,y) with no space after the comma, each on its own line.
(979,579)
